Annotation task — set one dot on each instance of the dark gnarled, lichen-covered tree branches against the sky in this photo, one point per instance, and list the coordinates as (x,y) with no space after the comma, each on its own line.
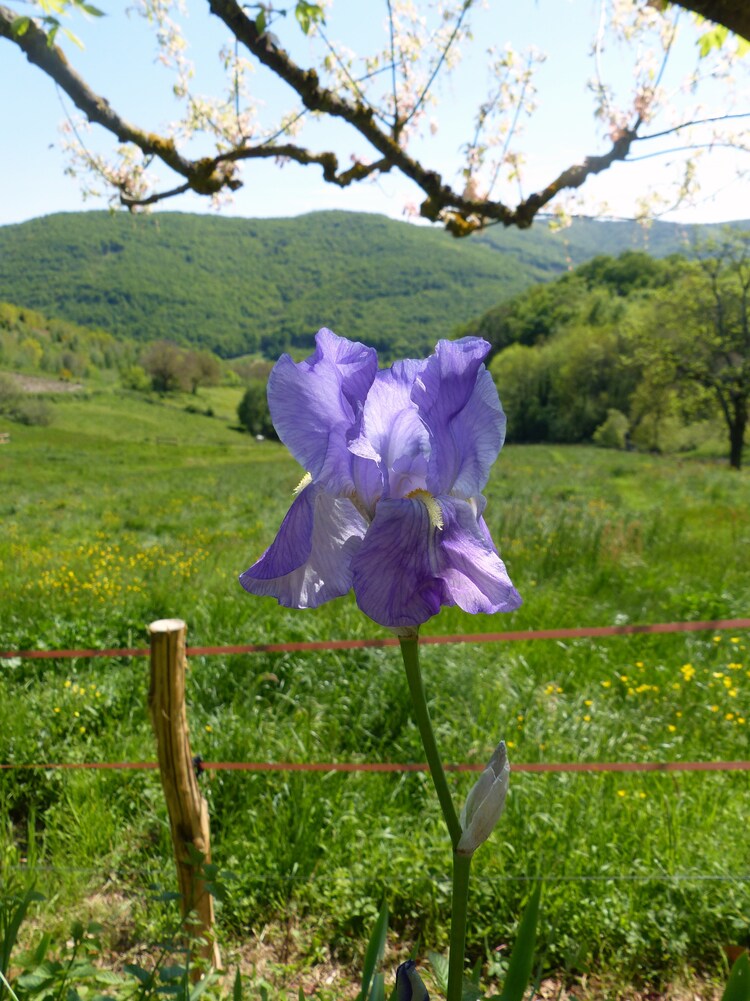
(212,175)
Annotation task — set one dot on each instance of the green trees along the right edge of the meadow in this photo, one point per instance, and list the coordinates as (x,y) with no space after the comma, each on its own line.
(629,351)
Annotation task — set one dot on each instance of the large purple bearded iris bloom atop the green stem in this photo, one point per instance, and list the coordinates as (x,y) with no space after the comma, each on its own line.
(392,504)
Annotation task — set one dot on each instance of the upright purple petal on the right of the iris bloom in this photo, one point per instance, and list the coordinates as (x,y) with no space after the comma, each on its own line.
(458,402)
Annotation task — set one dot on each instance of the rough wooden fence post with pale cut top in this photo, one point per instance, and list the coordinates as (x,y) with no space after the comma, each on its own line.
(189,811)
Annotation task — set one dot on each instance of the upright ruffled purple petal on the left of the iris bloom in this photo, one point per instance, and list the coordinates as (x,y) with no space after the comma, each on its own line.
(315,405)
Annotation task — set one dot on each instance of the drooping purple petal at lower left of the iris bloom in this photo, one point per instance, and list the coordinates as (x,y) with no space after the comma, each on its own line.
(310,561)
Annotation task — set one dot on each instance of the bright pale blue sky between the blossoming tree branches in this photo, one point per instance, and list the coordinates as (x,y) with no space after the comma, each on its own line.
(119,62)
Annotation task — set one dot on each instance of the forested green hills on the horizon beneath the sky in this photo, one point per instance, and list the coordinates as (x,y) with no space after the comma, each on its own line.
(242,286)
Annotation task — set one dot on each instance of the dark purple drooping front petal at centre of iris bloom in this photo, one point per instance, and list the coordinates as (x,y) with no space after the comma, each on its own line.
(394,572)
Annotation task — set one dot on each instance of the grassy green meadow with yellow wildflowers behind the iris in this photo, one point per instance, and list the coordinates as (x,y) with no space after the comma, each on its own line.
(125,511)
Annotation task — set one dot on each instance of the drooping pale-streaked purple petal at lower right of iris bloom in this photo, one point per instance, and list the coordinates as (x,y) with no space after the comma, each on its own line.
(474,576)
